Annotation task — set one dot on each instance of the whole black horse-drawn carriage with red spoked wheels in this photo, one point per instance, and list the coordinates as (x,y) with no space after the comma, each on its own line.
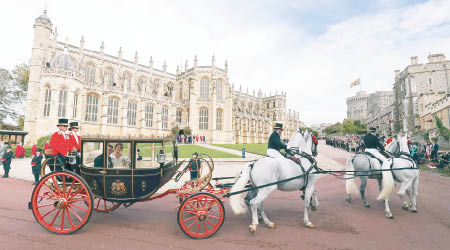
(109,173)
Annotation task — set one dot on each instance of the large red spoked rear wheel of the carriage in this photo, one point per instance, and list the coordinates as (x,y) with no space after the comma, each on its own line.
(62,202)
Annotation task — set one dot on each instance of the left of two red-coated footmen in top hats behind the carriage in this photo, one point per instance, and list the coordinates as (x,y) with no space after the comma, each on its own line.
(60,142)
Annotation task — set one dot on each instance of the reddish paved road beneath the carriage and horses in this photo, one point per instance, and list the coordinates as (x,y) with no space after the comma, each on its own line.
(153,224)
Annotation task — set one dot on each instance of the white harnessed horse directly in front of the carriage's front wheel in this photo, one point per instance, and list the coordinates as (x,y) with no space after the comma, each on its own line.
(269,170)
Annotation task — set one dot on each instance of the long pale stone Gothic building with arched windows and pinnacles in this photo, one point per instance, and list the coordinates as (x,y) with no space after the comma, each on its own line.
(111,96)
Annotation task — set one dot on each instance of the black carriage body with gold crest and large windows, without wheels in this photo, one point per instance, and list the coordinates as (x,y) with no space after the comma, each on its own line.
(128,184)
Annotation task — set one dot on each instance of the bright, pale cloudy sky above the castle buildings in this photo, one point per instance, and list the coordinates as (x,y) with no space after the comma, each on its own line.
(312,50)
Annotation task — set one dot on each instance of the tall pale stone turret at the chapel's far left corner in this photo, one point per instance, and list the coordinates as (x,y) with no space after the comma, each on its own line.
(39,57)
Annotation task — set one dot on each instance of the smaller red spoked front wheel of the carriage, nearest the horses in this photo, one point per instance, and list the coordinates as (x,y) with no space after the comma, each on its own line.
(201,215)
